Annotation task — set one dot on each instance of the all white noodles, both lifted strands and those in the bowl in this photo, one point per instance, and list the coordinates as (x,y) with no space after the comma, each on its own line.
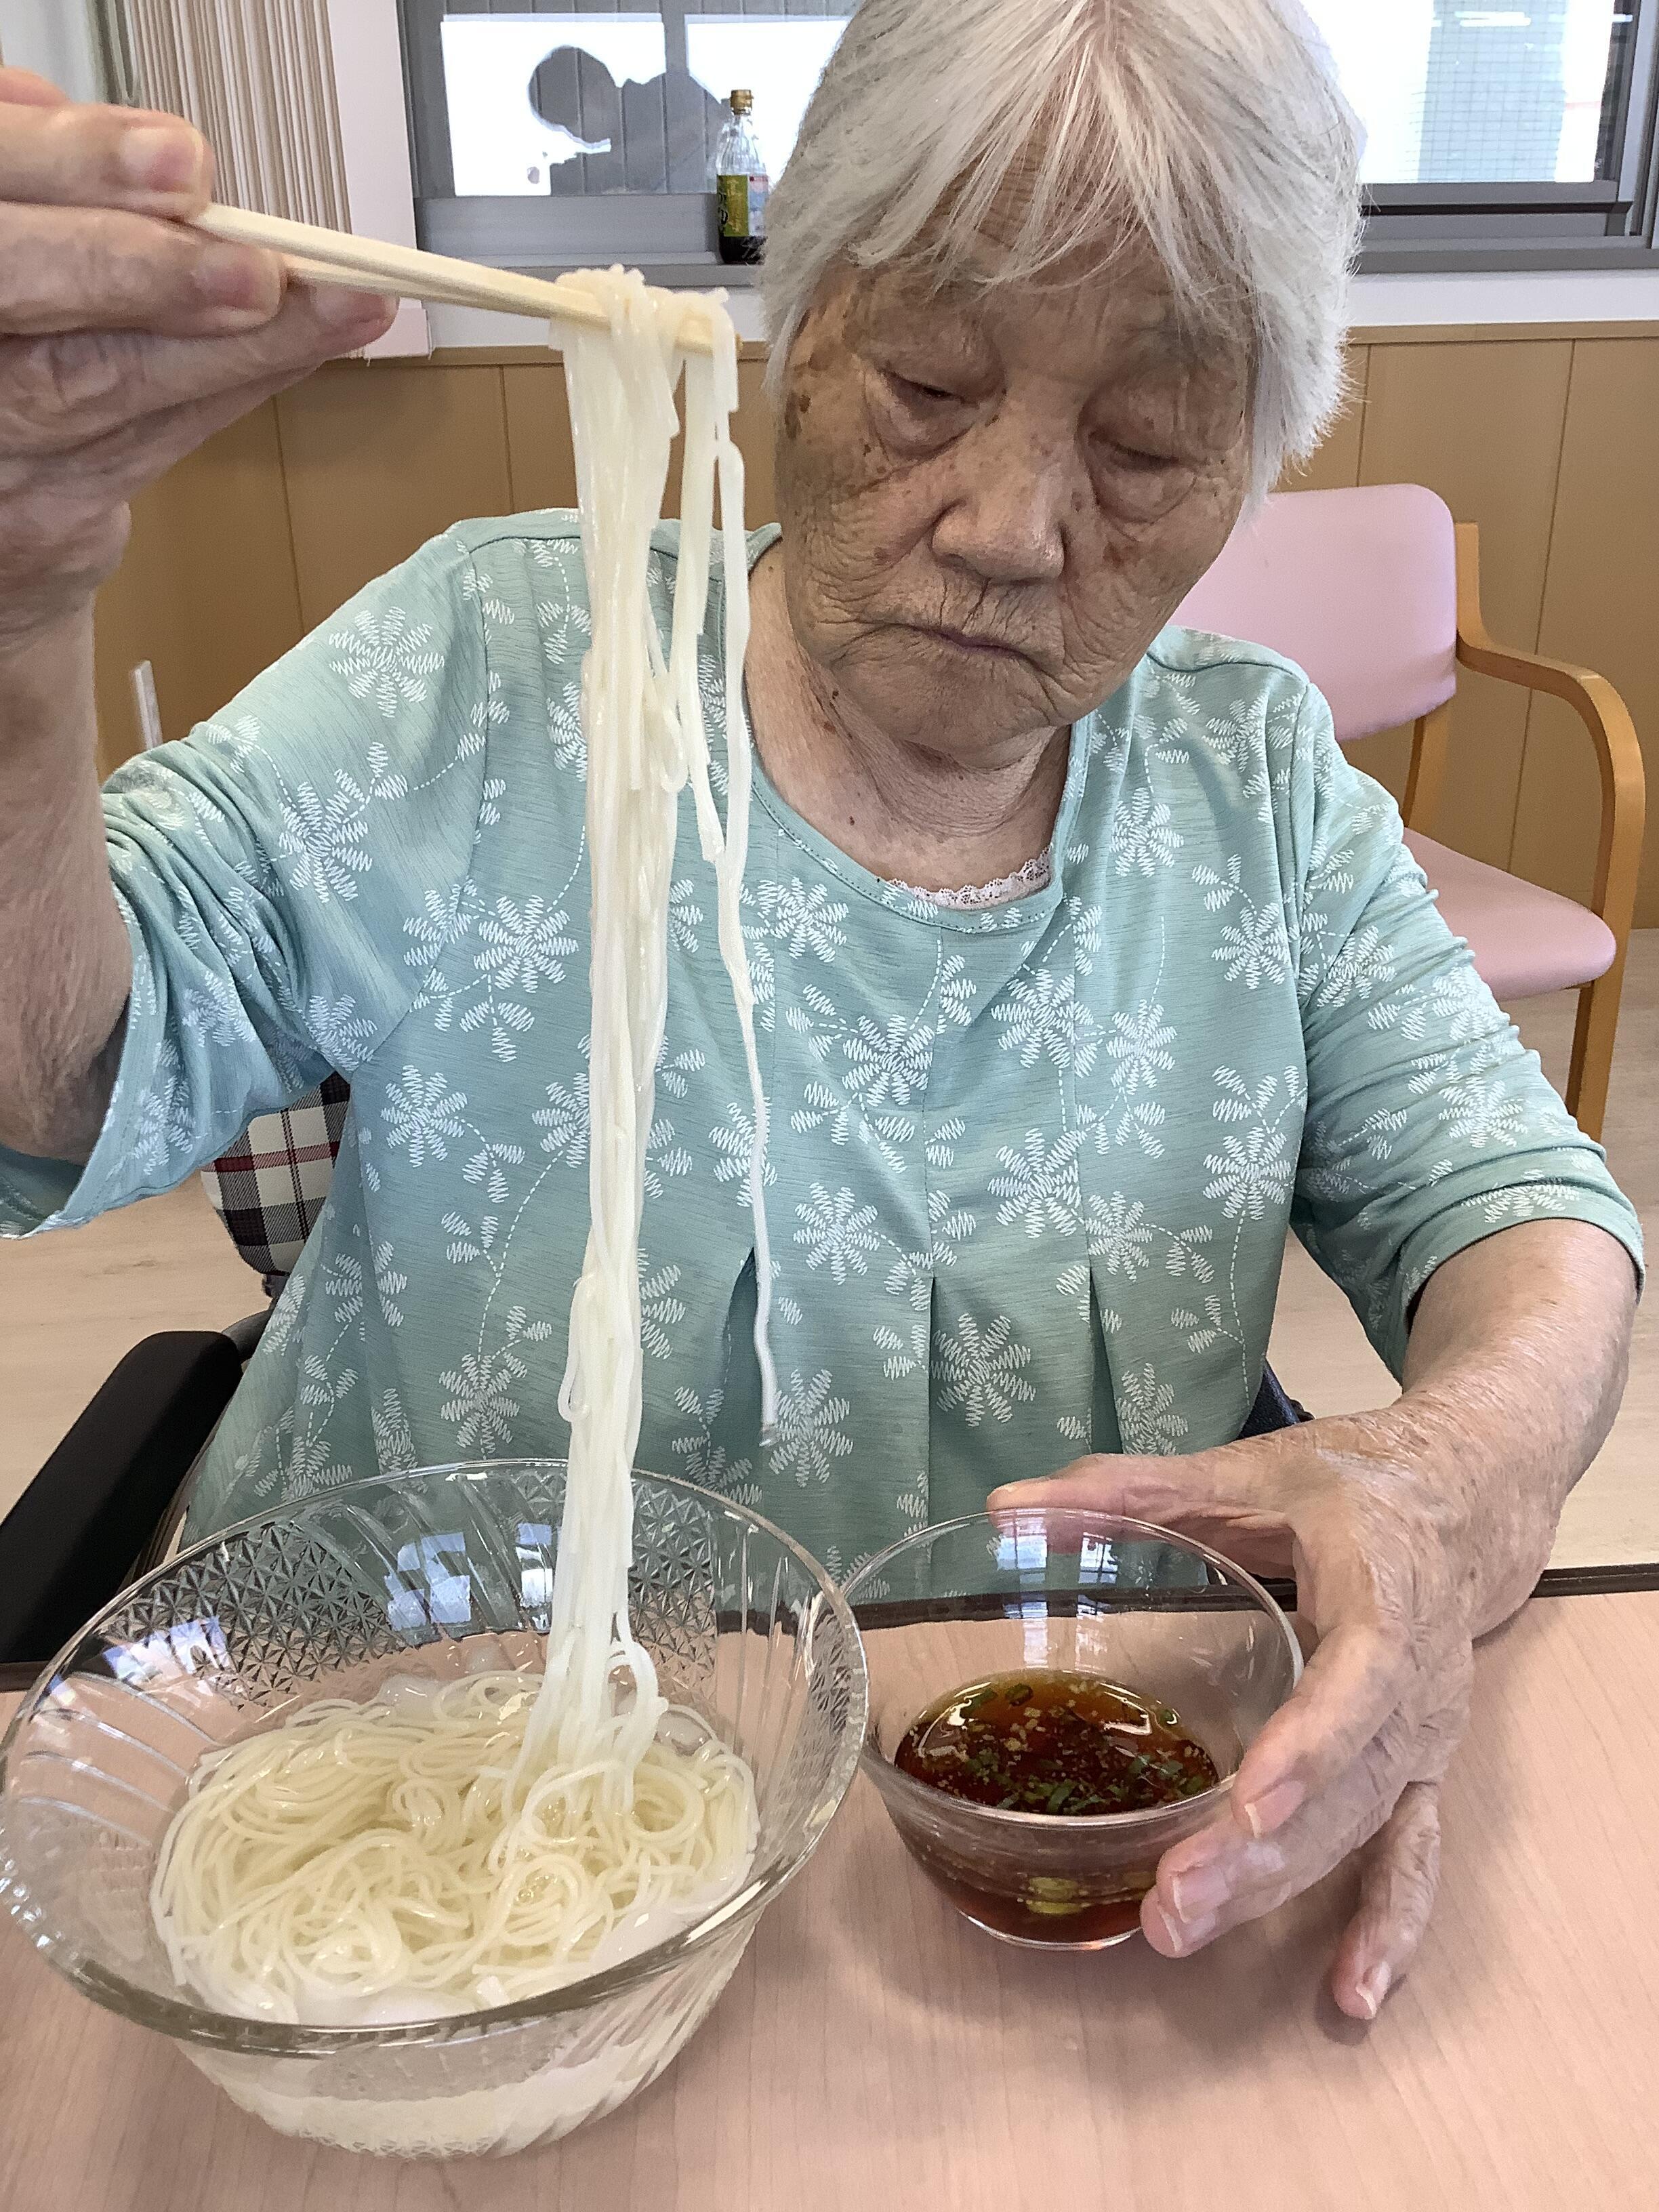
(490,1839)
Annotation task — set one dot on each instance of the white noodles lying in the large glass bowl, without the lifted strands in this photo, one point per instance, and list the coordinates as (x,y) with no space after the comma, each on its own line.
(459,1881)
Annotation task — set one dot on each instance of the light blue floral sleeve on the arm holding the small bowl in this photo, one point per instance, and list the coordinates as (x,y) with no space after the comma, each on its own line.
(1430,1125)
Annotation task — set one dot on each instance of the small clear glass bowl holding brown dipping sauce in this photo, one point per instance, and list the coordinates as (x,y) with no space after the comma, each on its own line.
(1081,1594)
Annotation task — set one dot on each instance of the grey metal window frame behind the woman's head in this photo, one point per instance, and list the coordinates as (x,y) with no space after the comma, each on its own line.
(1410,229)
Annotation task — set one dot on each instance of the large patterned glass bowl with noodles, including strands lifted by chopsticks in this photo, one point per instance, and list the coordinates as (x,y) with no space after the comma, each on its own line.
(441,1908)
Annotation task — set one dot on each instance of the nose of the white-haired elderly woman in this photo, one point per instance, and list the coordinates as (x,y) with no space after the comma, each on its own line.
(1012,494)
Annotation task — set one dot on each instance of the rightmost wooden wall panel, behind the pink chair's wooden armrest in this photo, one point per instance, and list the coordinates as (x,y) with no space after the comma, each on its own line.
(1600,612)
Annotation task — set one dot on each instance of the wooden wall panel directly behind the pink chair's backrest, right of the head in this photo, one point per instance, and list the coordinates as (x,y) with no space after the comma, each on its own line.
(1483,428)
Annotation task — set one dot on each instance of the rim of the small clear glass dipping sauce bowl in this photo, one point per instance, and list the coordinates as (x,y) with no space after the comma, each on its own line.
(1056,1824)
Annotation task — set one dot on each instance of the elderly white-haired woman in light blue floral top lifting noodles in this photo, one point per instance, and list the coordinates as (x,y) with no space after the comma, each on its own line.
(1087,963)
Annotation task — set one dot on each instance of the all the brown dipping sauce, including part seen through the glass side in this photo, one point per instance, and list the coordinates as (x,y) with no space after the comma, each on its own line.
(1052,1744)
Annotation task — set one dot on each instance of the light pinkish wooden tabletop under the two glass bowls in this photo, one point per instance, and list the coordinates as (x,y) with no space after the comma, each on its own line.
(881,2056)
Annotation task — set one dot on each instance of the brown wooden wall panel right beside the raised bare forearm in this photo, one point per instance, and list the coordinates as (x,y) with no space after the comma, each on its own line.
(207,592)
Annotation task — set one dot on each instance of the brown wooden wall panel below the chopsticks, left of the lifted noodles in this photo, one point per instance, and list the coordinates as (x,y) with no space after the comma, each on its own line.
(384,457)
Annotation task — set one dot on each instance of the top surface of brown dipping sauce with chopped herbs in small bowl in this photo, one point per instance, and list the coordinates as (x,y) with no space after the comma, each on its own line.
(1050,1742)
